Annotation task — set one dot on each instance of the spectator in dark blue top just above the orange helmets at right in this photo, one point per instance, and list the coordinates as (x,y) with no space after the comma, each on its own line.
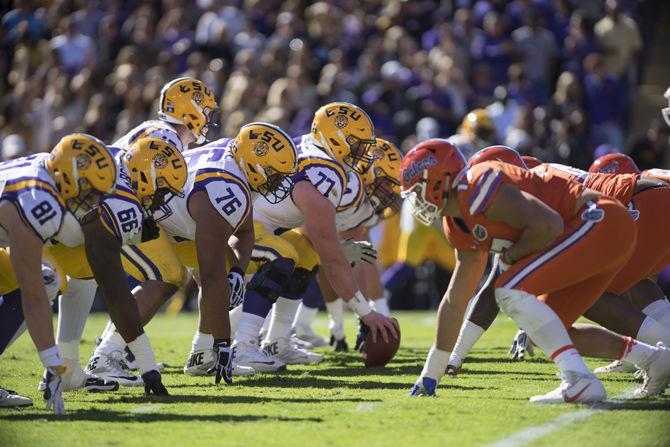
(605,105)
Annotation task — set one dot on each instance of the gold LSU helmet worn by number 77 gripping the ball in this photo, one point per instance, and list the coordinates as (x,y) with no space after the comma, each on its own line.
(346,133)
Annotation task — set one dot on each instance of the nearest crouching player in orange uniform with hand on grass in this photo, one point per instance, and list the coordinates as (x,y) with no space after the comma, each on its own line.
(546,230)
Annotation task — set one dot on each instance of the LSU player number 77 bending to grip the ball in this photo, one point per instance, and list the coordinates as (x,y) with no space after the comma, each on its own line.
(341,135)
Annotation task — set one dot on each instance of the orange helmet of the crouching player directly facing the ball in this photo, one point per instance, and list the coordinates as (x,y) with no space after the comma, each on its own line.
(428,172)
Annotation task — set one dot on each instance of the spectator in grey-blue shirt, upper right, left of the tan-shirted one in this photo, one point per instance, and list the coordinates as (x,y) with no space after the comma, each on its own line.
(537,50)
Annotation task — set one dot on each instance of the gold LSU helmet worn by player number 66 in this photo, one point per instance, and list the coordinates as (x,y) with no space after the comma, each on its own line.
(157,174)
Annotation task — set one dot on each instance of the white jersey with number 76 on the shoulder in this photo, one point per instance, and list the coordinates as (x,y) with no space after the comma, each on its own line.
(213,169)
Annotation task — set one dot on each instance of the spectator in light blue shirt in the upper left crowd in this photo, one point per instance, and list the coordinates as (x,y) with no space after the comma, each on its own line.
(75,50)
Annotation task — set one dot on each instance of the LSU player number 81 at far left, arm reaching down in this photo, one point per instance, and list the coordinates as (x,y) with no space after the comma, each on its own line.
(38,191)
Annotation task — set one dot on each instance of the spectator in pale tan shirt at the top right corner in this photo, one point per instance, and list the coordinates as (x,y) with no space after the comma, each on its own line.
(620,40)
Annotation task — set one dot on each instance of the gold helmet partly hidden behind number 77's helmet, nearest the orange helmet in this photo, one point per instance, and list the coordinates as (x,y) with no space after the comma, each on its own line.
(382,181)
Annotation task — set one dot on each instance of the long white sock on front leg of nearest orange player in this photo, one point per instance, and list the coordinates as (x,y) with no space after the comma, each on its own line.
(543,327)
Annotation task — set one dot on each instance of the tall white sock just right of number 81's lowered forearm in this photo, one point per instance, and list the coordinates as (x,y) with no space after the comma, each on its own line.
(73,309)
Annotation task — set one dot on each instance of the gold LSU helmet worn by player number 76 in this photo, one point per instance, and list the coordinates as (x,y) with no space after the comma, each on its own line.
(268,157)
